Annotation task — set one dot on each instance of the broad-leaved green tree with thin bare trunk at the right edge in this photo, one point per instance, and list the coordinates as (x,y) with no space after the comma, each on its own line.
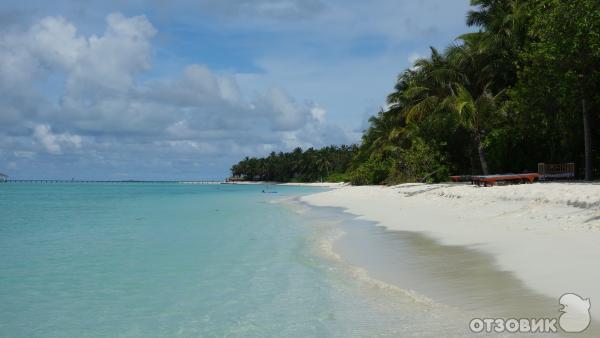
(563,62)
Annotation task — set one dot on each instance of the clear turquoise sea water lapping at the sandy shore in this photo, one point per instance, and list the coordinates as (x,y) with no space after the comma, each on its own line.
(164,260)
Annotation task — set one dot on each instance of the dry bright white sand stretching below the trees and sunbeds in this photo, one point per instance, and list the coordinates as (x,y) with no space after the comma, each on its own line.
(546,234)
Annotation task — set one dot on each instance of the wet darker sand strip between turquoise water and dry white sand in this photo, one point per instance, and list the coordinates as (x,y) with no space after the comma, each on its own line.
(462,277)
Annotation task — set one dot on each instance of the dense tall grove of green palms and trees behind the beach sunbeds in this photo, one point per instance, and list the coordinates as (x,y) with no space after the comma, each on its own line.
(524,88)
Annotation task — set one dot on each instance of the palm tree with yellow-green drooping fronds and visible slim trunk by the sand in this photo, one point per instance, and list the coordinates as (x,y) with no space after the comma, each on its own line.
(456,82)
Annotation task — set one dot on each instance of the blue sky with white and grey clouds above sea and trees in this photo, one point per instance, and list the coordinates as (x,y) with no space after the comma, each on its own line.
(177,90)
